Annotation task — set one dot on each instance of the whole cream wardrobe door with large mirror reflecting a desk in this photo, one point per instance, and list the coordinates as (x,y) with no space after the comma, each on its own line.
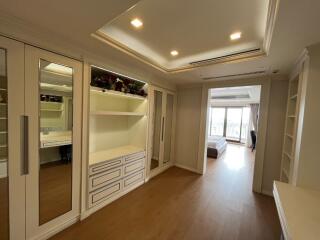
(53,107)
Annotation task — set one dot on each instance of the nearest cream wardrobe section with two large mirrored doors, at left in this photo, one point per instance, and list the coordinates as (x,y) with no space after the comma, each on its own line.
(40,148)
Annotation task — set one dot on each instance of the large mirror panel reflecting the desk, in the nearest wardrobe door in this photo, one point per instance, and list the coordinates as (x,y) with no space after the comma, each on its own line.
(55,147)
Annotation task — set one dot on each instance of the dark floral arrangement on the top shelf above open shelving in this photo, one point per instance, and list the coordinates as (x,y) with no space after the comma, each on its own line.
(111,81)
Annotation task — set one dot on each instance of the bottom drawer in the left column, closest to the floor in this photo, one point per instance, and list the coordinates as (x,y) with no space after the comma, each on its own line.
(104,193)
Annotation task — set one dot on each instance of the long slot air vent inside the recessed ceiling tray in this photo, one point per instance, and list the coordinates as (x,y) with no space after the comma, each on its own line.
(233,56)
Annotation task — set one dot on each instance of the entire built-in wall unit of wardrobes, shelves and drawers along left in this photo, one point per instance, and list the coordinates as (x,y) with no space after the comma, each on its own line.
(73,138)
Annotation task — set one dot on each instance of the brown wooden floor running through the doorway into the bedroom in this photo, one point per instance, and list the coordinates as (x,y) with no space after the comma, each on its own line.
(182,205)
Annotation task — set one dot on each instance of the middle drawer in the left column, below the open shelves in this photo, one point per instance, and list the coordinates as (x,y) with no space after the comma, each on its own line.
(104,178)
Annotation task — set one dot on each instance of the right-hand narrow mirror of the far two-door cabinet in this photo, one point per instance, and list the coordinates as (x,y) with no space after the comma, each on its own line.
(168,128)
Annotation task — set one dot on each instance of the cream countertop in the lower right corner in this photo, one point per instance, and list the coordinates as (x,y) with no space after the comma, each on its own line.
(299,211)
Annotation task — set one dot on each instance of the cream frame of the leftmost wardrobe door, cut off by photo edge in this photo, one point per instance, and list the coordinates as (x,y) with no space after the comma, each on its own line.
(15,93)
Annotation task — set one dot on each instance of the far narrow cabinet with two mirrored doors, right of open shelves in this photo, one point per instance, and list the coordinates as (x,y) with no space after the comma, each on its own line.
(161,134)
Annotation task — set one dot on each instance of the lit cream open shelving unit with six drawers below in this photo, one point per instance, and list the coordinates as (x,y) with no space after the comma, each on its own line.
(117,128)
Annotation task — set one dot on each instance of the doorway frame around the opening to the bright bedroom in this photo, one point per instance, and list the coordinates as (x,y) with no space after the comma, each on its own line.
(265,83)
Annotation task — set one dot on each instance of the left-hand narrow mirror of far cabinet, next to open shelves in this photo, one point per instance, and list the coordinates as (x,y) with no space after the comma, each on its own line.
(157,122)
